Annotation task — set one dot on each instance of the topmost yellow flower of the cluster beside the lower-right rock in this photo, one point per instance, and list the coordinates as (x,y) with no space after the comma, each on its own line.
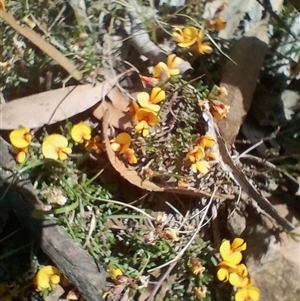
(232,252)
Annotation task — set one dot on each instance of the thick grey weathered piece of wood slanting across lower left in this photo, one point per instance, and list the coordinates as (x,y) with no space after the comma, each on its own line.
(69,256)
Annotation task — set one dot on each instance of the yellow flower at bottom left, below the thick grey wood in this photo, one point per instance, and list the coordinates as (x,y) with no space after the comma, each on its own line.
(47,277)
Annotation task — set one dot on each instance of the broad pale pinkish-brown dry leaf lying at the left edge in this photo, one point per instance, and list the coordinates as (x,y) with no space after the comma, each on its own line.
(52,106)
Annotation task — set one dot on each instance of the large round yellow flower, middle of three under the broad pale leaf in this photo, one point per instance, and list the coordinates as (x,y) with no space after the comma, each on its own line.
(55,146)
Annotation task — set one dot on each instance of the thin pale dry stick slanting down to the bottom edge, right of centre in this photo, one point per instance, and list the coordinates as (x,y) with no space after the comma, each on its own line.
(182,251)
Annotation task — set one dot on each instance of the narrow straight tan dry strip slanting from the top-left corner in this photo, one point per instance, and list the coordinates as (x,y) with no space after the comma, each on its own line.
(42,44)
